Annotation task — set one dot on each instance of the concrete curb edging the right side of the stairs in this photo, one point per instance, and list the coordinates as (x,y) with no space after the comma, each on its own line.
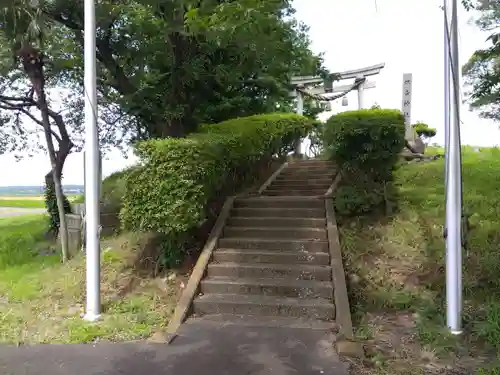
(345,345)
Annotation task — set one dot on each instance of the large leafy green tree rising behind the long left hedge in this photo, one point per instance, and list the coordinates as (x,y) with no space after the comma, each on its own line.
(175,64)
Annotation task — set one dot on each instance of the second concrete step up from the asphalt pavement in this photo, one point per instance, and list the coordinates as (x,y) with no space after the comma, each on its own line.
(268,287)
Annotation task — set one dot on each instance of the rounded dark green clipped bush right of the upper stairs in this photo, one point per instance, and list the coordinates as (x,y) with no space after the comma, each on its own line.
(366,145)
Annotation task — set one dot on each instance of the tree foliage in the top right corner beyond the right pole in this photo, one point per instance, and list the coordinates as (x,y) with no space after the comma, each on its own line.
(482,71)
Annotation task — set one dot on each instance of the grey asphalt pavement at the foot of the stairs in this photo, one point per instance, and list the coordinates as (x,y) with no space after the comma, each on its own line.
(199,349)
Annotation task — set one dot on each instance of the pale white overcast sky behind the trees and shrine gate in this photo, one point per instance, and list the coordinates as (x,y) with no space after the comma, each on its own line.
(405,34)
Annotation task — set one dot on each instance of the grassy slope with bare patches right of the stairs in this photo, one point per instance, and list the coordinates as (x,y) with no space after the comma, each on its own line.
(397,275)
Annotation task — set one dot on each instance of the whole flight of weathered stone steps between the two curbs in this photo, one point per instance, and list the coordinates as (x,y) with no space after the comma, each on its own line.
(273,261)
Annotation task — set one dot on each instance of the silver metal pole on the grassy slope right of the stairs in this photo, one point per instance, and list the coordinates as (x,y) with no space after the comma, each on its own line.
(453,189)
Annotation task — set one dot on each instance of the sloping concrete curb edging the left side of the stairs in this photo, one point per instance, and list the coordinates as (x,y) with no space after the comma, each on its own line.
(185,302)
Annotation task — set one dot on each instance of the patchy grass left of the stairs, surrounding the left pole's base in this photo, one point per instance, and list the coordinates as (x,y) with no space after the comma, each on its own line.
(41,300)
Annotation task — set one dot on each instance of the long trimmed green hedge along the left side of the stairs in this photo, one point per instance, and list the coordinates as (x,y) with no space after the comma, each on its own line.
(169,194)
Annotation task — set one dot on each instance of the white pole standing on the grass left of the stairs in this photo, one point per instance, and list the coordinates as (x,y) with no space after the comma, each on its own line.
(93,302)
